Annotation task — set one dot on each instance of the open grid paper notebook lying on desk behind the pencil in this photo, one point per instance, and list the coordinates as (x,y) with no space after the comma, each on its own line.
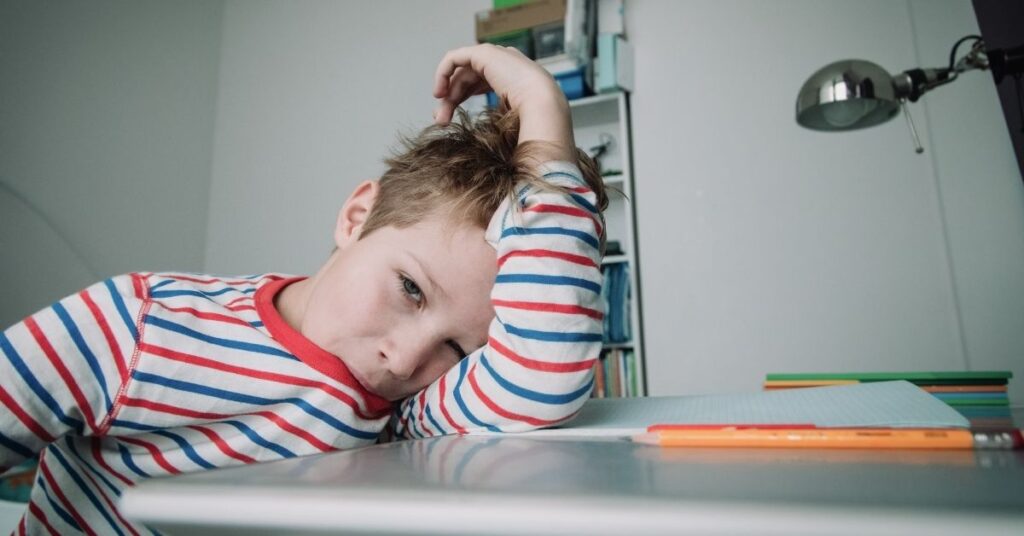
(886,404)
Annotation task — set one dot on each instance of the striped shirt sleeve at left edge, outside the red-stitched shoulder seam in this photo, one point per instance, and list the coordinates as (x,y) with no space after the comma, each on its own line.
(62,369)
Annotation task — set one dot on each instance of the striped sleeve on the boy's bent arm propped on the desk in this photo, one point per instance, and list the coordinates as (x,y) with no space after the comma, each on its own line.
(537,368)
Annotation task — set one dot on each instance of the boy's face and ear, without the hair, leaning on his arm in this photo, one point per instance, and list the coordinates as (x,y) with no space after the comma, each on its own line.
(402,306)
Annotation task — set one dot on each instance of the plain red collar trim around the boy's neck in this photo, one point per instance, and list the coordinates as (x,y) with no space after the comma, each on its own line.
(308,352)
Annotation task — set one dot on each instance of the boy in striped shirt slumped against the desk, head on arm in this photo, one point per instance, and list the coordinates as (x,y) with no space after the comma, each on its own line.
(154,375)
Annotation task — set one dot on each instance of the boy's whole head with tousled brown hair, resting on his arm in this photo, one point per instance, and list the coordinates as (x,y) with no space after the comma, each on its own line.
(406,296)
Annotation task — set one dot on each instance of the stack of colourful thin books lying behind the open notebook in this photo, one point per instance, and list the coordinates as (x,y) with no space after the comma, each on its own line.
(979,396)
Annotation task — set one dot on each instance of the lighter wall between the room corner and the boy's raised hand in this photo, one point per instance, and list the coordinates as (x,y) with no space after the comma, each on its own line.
(312,98)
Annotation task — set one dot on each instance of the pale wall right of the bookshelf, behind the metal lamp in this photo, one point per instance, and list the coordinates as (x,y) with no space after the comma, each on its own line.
(770,249)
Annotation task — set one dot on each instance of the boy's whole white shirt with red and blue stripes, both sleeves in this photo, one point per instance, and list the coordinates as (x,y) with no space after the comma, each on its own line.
(155,375)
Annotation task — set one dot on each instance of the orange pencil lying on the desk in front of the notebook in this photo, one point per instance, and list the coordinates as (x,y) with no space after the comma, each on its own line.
(835,438)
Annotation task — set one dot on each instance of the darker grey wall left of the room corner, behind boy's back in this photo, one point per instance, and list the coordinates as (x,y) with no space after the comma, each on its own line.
(106,139)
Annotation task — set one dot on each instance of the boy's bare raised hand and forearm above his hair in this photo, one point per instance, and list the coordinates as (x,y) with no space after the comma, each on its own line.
(530,90)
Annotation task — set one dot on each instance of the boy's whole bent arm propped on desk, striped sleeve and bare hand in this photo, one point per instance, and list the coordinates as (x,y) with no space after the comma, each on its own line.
(537,368)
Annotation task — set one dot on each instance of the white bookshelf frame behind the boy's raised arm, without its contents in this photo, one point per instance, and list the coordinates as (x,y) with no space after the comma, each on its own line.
(594,120)
